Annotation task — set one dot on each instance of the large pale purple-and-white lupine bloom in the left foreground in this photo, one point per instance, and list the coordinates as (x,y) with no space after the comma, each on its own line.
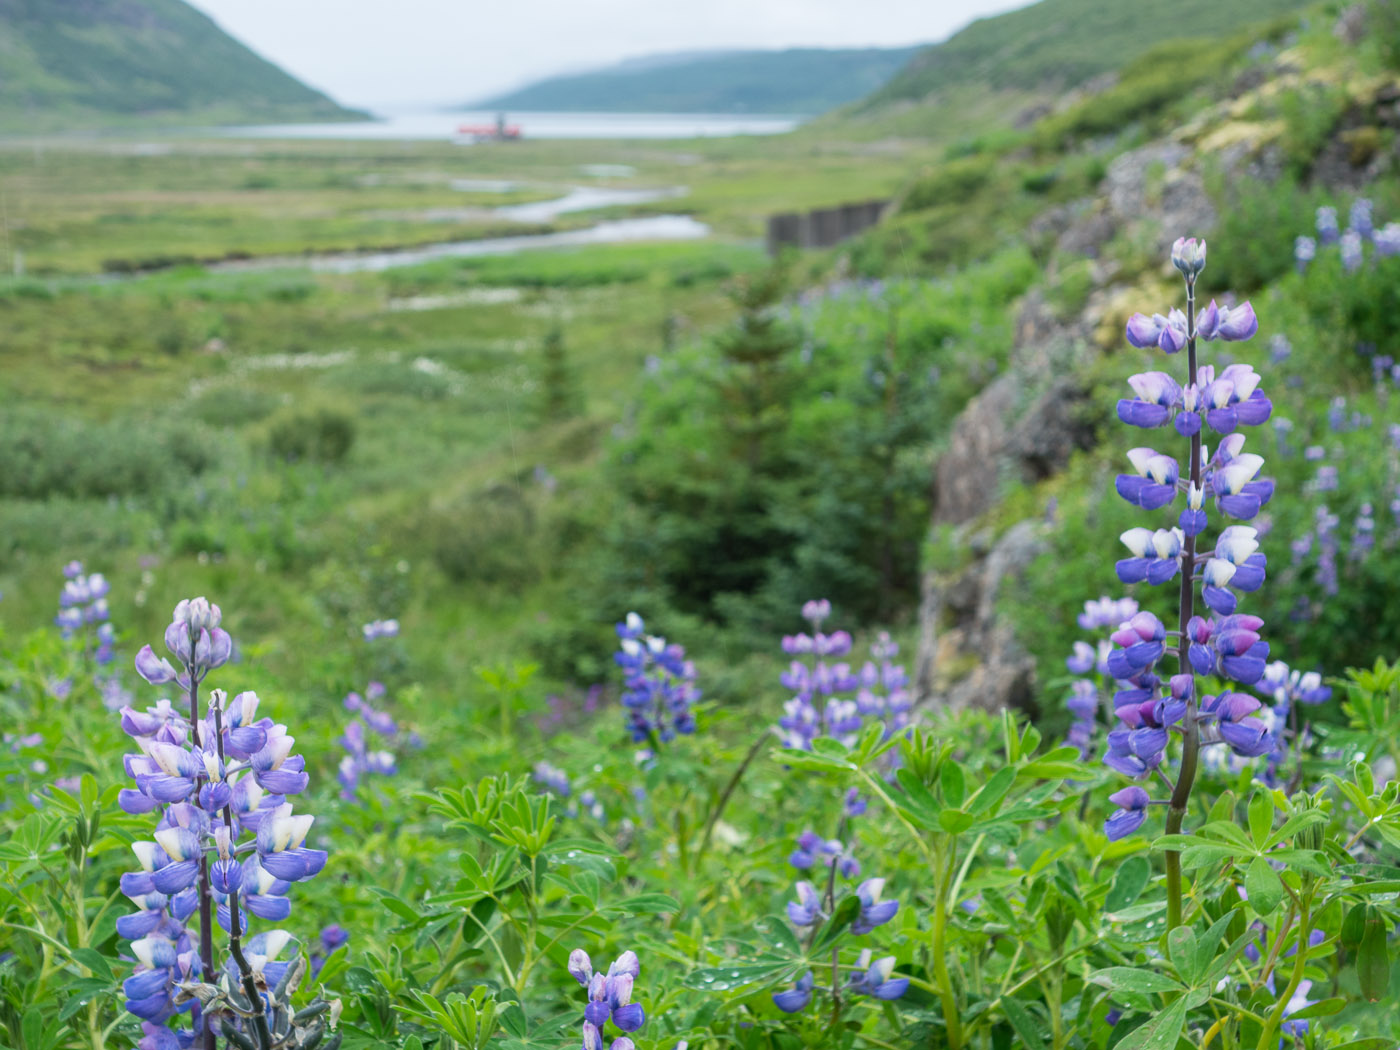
(215,779)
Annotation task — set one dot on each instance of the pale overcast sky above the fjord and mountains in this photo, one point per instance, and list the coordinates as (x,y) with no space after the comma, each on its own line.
(402,52)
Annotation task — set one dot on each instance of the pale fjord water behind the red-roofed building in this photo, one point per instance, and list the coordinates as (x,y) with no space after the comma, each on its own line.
(443,125)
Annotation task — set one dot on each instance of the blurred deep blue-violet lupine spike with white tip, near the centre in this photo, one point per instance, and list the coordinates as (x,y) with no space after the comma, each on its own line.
(659,685)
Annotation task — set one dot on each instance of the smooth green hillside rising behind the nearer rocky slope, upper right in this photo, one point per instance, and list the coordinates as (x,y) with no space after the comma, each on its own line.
(1065,43)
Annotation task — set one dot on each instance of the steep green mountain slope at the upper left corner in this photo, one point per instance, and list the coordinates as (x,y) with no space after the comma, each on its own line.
(83,64)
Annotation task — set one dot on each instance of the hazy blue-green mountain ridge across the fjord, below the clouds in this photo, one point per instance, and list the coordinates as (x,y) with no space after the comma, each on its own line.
(799,80)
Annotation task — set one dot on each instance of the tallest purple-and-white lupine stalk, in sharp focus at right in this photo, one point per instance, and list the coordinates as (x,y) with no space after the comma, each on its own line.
(1221,643)
